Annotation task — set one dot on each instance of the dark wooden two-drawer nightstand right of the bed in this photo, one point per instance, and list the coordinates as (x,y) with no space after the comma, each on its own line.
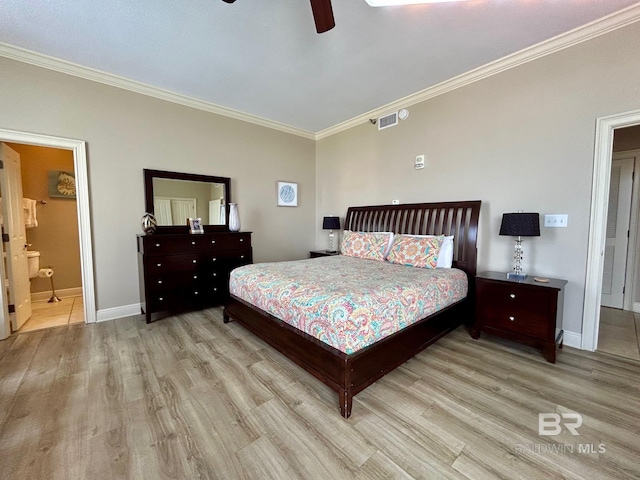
(525,311)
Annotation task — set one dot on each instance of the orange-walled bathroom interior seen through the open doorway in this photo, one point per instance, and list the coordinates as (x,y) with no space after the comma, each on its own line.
(47,179)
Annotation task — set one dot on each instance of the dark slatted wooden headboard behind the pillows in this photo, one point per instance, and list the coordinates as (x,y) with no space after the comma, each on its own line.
(459,219)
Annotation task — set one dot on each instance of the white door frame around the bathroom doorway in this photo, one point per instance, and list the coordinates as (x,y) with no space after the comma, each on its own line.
(82,201)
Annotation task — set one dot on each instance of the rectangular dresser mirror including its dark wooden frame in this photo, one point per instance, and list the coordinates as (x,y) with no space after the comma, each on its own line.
(173,197)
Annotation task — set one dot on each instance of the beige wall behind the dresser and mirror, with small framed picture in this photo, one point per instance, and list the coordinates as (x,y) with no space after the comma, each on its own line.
(126,132)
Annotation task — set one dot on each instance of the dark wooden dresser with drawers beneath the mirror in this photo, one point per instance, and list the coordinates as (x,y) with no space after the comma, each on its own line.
(180,272)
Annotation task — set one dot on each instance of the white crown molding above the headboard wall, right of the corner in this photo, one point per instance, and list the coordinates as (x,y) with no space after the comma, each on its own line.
(573,37)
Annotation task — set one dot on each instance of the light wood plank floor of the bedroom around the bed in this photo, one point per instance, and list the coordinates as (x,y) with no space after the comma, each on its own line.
(190,397)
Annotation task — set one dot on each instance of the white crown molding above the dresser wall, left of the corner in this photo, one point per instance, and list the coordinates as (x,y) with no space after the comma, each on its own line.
(70,68)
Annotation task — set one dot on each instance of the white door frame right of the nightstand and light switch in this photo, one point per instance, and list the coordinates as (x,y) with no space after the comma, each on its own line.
(597,225)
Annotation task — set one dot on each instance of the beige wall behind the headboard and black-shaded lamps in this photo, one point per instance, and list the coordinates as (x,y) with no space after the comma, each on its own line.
(519,140)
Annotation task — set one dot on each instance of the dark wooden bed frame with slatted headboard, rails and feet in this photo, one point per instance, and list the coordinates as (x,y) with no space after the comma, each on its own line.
(349,374)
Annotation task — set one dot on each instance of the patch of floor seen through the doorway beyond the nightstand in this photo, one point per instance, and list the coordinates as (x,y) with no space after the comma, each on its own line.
(619,333)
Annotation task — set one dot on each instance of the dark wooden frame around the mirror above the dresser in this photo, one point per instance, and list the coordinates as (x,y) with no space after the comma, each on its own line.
(149,175)
